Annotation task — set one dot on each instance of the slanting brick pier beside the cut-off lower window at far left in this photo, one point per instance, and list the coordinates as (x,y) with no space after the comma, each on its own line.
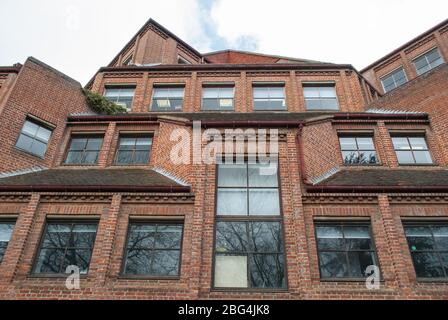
(12,263)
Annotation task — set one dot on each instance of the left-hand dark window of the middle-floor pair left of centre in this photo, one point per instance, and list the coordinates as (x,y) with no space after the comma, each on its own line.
(84,150)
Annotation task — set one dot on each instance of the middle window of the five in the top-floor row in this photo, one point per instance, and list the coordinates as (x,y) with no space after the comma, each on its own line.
(217,98)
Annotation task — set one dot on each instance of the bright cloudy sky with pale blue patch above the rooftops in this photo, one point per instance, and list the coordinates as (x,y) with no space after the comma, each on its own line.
(78,36)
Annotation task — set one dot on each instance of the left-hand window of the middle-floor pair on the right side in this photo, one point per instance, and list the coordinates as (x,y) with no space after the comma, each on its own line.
(358,150)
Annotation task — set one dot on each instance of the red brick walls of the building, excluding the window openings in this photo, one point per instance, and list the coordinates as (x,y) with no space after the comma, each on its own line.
(308,155)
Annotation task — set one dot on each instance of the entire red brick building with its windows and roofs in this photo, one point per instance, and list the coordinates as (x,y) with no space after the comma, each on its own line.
(357,177)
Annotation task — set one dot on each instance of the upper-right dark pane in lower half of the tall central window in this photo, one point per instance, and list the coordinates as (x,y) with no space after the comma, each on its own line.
(266,237)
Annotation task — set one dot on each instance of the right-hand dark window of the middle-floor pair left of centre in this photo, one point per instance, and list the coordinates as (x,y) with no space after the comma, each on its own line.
(133,149)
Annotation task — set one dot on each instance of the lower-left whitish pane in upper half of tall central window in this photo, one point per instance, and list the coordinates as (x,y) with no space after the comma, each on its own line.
(232,202)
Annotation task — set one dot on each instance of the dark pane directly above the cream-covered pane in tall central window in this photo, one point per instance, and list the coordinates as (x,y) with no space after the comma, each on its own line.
(231,237)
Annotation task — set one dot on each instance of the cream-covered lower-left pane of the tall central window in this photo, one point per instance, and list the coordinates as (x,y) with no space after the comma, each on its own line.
(231,271)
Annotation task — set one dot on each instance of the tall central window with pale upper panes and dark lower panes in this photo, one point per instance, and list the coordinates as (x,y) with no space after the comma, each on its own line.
(249,250)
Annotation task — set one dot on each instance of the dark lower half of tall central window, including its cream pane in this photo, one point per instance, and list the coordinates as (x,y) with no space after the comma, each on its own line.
(249,255)
